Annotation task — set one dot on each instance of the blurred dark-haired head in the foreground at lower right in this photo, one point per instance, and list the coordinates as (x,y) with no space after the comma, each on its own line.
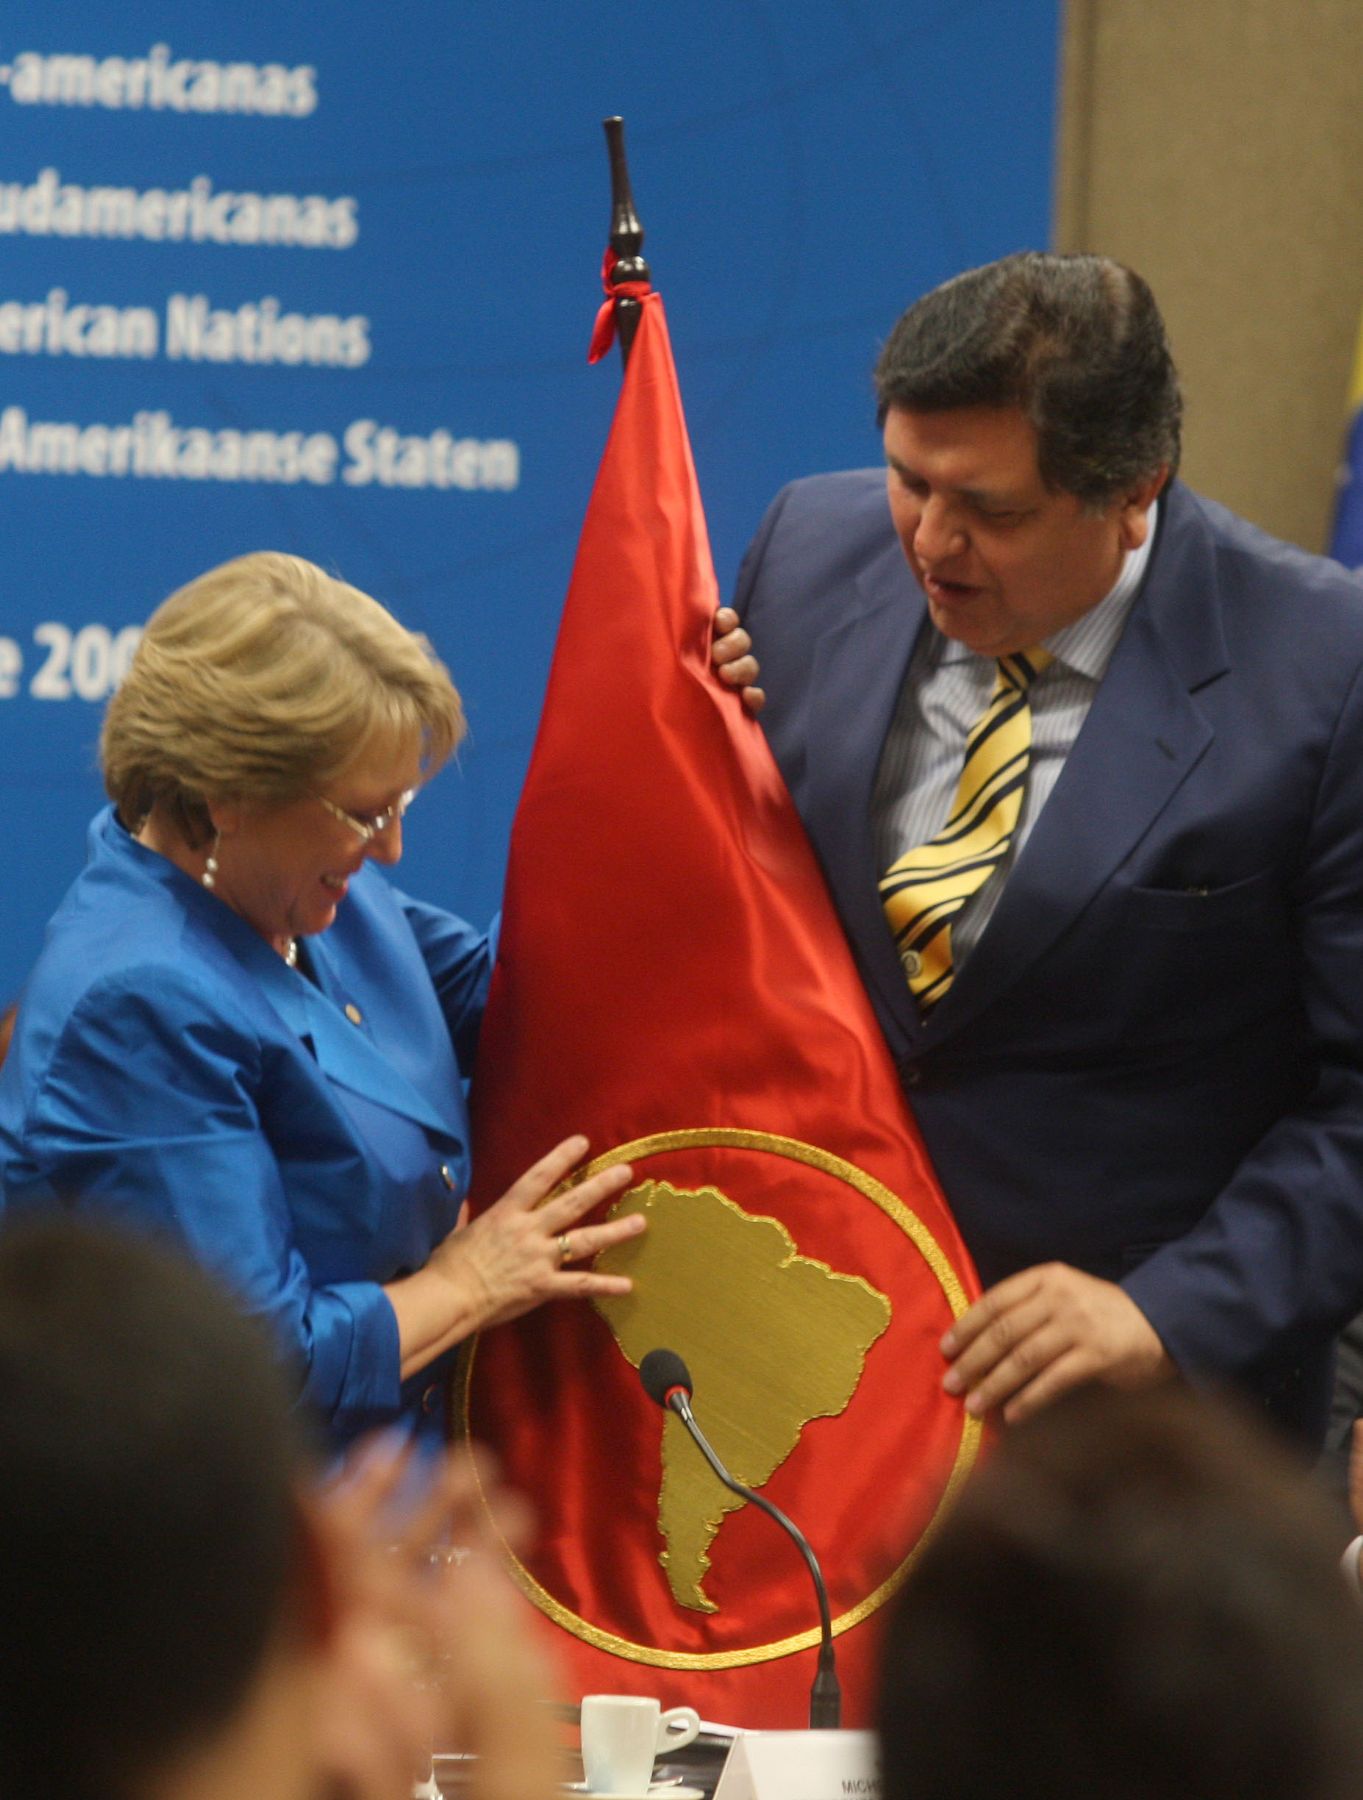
(1137,1599)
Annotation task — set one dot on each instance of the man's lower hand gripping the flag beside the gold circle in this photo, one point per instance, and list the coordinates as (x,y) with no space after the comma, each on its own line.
(1045,1331)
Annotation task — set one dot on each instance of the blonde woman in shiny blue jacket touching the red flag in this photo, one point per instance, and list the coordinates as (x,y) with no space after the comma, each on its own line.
(246,1039)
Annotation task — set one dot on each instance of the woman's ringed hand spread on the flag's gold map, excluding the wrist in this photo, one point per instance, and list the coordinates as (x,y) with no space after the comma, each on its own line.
(516,1255)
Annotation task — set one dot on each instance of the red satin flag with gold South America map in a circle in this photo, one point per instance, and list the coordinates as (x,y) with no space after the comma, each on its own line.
(674,982)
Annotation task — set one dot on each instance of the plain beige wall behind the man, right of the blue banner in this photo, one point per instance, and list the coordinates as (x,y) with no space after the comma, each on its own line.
(1218,148)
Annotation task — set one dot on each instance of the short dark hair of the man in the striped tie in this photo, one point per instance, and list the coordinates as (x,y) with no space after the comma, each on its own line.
(1072,341)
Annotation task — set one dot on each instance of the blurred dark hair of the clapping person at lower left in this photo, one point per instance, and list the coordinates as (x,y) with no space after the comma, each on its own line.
(147,1509)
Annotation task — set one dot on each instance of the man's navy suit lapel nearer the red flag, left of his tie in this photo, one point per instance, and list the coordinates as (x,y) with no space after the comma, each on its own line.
(856,679)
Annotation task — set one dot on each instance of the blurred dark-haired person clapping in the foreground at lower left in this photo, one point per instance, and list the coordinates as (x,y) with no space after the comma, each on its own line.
(186,1614)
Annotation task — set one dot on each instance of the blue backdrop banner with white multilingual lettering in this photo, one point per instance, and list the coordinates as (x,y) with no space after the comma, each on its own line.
(323,280)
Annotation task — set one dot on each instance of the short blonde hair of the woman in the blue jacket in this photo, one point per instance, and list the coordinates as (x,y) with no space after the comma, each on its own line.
(264,679)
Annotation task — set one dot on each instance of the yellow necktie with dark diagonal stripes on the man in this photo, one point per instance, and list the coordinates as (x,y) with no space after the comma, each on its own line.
(928,886)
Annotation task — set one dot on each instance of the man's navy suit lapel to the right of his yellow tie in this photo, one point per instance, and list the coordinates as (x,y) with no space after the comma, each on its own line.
(1141,741)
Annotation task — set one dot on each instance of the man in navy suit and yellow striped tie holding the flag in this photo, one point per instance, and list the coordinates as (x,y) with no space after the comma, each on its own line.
(1141,1063)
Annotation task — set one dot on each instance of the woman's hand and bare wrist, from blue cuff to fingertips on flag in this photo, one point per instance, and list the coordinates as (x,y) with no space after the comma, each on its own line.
(512,1257)
